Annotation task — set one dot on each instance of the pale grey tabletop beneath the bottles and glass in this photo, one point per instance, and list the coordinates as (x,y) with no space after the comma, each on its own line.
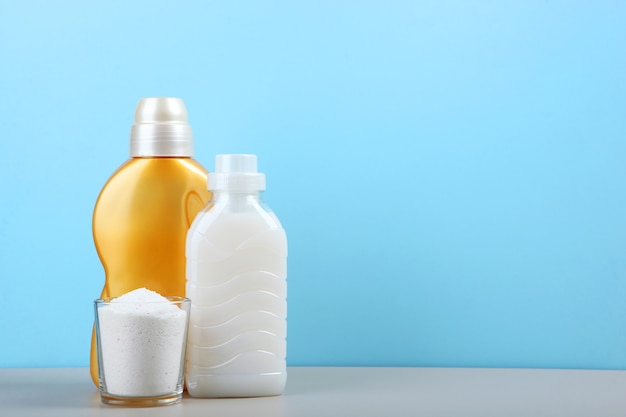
(345,392)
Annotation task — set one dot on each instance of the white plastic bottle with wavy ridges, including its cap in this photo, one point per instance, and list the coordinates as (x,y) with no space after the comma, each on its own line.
(236,280)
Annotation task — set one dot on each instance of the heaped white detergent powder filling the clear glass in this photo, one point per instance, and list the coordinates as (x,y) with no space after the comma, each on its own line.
(142,339)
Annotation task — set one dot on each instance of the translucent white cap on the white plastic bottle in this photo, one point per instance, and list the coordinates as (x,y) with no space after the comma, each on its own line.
(236,172)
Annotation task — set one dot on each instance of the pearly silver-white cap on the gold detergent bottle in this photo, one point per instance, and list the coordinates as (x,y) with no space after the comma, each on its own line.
(161,128)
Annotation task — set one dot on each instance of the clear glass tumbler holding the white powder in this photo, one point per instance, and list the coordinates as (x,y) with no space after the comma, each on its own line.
(141,350)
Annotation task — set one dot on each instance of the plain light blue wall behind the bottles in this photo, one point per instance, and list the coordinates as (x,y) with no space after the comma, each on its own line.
(451,174)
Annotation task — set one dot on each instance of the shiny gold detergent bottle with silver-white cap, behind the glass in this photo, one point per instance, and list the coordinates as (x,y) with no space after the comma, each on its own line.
(142,214)
